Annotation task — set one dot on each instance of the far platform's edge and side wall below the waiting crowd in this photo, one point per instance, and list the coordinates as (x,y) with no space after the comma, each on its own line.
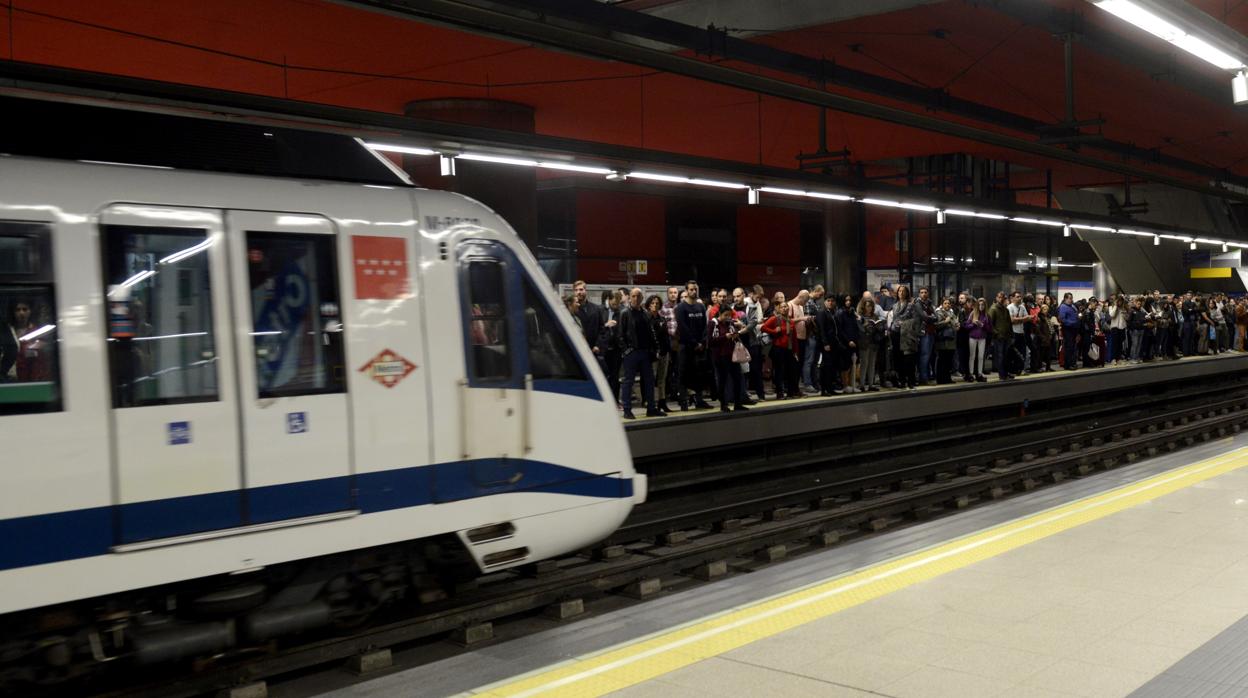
(688,431)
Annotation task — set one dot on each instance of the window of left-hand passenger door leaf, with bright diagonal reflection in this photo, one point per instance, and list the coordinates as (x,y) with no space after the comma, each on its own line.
(159,293)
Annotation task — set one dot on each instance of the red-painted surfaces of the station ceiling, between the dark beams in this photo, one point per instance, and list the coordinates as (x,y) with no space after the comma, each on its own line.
(328,53)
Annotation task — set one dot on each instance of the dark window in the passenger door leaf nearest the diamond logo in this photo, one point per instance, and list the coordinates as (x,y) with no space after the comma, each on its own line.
(298,325)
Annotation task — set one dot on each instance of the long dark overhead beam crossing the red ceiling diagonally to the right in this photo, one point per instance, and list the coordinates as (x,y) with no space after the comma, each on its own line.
(531,26)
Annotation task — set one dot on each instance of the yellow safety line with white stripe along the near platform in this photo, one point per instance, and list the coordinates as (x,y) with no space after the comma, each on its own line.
(653,656)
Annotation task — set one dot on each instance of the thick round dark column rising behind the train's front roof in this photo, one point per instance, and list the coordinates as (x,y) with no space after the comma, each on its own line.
(509,190)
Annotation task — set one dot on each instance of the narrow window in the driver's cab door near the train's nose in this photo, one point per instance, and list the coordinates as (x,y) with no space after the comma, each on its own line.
(487,332)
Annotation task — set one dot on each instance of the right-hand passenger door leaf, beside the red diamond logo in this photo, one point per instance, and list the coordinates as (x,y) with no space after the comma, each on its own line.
(296,434)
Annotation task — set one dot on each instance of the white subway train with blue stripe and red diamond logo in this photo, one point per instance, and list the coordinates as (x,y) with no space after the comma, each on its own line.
(240,408)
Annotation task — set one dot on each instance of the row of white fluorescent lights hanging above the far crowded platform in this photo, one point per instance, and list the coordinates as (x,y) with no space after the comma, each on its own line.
(754,193)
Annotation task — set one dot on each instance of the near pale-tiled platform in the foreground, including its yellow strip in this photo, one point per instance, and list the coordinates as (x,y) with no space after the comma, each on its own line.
(1129,582)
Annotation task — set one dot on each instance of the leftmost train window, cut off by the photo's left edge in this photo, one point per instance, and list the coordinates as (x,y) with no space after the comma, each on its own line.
(29,343)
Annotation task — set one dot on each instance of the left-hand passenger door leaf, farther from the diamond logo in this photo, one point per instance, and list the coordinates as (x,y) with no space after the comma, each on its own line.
(175,408)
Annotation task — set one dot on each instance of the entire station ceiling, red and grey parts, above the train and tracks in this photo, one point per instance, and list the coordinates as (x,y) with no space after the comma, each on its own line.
(1005,57)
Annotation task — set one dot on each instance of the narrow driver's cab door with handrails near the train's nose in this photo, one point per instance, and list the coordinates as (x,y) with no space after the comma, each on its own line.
(495,389)
